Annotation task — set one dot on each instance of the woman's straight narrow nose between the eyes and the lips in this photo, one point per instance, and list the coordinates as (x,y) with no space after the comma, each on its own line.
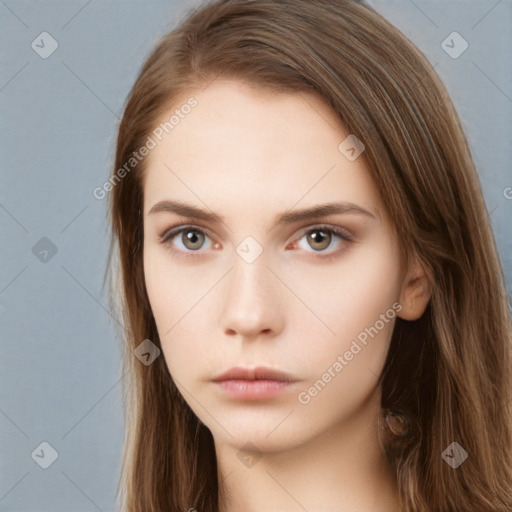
(252,306)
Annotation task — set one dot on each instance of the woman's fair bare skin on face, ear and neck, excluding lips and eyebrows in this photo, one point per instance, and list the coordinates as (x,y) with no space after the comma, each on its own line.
(249,155)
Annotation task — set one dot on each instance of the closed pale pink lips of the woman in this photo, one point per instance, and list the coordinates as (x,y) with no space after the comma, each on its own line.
(254,383)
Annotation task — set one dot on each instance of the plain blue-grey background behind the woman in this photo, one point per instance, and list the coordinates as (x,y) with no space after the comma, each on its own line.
(60,371)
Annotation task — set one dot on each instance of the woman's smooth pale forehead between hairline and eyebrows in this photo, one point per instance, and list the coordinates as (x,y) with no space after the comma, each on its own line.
(254,149)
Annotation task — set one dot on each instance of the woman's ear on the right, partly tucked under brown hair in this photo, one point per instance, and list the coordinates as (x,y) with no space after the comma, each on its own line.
(415,293)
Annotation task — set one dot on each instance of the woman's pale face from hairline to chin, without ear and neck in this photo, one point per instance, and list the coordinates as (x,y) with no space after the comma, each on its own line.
(255,281)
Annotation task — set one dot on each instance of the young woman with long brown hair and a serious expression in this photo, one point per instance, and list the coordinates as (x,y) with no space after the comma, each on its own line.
(309,280)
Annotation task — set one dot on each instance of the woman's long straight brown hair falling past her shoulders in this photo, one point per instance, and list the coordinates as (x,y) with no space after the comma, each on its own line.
(449,372)
